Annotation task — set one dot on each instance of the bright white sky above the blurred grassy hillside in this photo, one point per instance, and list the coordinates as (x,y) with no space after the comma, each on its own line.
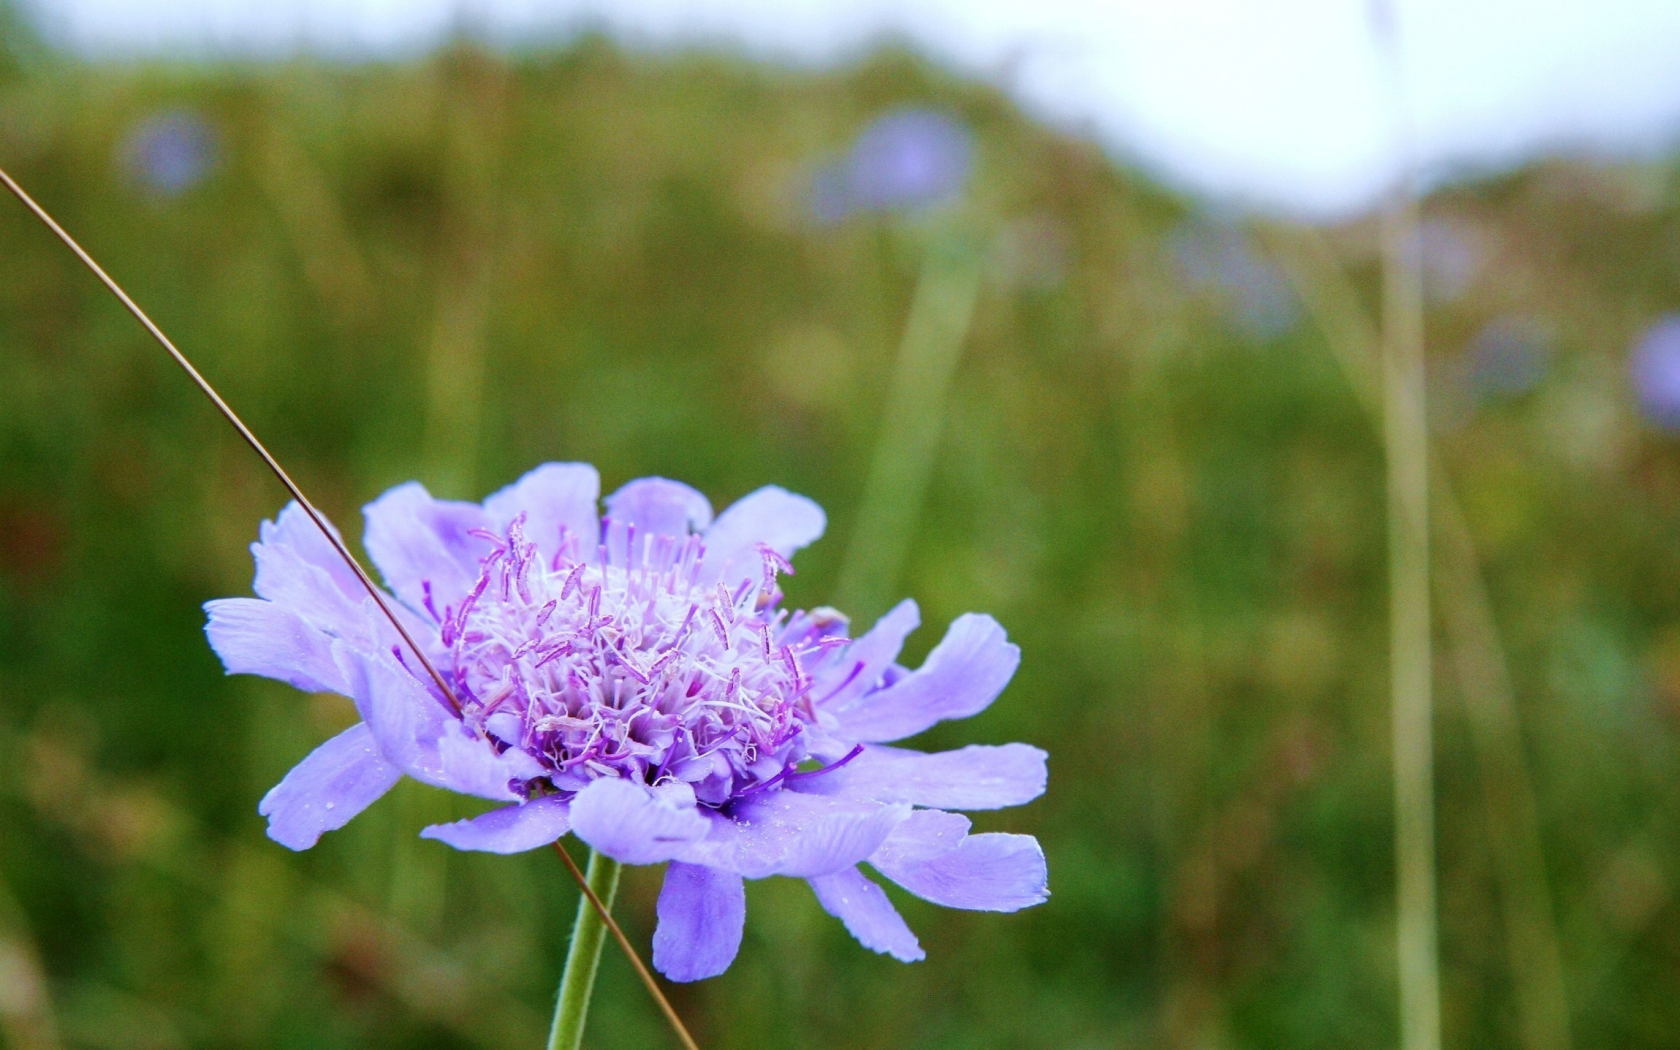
(1278,103)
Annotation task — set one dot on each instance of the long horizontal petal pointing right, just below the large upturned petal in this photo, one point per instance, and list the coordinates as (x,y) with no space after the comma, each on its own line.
(970,779)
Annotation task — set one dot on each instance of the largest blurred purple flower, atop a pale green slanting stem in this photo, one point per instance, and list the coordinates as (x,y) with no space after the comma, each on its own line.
(903,162)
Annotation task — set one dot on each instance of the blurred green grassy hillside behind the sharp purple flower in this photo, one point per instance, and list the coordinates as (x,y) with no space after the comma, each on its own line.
(1155,468)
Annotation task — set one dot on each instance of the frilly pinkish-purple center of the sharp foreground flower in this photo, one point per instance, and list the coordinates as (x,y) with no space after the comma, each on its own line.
(619,663)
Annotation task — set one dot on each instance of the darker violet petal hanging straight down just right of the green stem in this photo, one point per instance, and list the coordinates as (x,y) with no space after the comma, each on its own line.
(701,916)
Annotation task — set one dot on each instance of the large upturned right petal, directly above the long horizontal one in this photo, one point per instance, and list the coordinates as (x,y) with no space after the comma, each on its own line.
(962,676)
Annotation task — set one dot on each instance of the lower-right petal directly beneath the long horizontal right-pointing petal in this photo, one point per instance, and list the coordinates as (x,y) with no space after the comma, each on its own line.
(989,873)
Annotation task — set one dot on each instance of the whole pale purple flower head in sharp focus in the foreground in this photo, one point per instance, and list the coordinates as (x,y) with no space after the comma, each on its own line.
(633,680)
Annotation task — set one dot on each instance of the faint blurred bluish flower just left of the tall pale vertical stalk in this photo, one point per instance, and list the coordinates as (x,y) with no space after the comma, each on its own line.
(1219,260)
